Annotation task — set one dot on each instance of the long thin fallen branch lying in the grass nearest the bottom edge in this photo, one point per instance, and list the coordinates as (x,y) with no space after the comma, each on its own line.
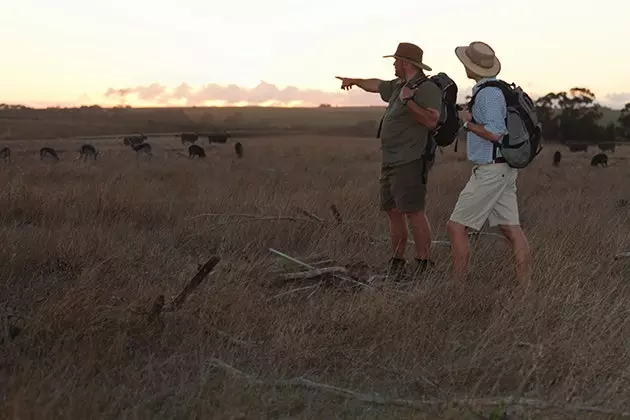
(415,404)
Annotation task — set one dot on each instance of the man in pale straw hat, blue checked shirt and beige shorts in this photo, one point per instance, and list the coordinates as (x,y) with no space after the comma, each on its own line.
(490,193)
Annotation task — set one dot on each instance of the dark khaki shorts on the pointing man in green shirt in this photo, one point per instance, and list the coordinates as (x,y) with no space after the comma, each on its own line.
(404,187)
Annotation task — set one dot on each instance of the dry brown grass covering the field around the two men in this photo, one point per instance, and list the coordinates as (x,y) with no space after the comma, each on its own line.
(86,245)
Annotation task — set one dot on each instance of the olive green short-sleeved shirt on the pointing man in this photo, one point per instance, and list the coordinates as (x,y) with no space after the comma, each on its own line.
(403,139)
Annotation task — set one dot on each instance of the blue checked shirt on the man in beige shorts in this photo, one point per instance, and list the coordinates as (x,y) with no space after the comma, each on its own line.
(490,111)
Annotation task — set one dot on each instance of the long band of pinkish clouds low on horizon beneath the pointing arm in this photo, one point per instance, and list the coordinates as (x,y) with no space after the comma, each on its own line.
(263,94)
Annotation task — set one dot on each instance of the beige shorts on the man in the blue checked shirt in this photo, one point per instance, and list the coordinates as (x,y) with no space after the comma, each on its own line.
(490,194)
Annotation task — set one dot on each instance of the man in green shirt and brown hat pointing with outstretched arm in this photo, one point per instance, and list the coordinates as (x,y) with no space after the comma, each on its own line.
(407,146)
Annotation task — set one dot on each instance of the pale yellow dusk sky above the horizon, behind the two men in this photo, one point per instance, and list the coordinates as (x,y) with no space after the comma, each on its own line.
(288,52)
